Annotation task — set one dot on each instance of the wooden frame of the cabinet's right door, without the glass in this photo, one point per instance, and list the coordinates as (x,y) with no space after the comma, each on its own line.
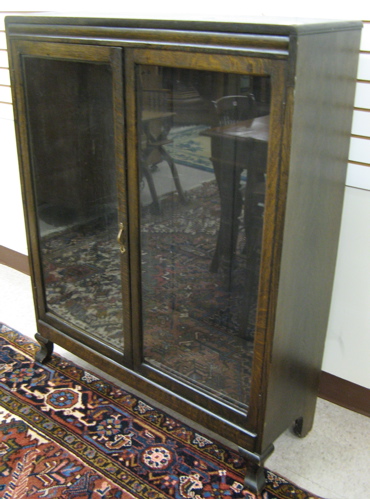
(274,209)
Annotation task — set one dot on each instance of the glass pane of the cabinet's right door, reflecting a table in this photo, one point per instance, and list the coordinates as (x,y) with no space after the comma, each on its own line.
(203,154)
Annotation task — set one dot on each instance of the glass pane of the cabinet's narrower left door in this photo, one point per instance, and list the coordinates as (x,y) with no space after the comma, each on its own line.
(70,114)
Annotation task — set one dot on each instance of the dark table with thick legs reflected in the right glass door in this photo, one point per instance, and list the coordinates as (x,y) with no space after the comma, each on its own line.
(234,148)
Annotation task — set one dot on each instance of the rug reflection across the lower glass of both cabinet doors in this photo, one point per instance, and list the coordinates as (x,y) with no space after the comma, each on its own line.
(190,318)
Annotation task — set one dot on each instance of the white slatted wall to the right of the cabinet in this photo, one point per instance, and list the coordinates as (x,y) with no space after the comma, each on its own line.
(347,344)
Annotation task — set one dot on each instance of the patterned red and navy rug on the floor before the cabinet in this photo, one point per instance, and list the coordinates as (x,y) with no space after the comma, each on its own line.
(67,433)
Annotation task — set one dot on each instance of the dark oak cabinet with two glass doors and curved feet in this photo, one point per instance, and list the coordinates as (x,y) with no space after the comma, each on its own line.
(183,187)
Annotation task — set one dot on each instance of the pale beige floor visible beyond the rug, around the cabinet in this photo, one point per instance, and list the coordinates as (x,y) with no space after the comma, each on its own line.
(333,461)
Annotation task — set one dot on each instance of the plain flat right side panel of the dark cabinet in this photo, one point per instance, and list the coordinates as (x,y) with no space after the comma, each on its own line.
(323,104)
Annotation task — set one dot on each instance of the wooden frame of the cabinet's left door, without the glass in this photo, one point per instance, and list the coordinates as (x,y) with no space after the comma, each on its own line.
(111,56)
